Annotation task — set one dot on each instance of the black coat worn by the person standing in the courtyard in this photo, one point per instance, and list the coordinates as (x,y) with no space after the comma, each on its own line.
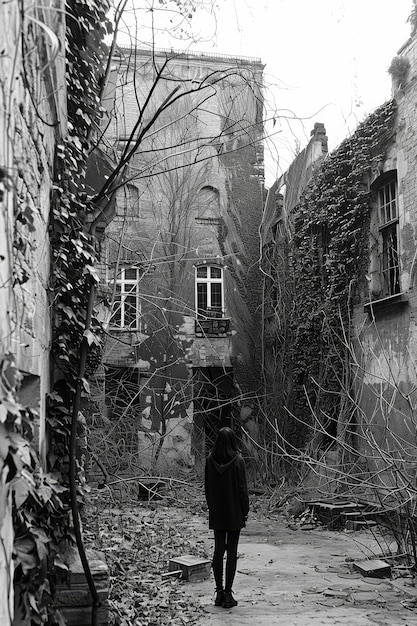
(226,493)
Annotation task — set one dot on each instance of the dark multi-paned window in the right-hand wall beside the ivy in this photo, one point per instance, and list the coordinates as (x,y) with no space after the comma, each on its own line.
(388,229)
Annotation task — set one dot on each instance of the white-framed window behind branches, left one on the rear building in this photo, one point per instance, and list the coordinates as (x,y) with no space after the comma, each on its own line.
(126,311)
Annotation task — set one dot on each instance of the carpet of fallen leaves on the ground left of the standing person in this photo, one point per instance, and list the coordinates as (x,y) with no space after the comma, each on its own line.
(138,542)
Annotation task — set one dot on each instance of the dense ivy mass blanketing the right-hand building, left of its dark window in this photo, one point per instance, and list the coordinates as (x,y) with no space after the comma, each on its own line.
(328,262)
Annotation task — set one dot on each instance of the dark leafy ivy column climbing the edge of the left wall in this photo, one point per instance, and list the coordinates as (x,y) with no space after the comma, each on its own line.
(74,249)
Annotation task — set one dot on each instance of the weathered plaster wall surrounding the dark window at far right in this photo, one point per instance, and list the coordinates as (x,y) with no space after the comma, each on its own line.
(386,330)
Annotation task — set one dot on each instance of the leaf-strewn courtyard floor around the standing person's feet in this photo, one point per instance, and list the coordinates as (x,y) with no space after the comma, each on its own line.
(288,574)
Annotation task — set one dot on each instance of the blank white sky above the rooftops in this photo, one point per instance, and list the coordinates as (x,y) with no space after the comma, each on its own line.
(325,60)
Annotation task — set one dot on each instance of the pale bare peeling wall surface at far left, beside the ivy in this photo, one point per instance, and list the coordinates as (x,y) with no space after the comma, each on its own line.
(32,120)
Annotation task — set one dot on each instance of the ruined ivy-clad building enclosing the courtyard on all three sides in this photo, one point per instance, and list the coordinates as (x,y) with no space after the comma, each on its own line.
(196,322)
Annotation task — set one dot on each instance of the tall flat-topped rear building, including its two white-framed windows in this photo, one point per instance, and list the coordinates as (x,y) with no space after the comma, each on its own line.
(179,256)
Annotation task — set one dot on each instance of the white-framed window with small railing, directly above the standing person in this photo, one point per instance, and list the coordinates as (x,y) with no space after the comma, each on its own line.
(209,291)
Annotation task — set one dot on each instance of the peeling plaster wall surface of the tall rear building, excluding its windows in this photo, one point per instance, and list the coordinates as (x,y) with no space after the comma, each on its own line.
(204,206)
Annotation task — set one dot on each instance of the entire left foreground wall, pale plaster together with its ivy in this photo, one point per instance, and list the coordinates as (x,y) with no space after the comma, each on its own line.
(50,100)
